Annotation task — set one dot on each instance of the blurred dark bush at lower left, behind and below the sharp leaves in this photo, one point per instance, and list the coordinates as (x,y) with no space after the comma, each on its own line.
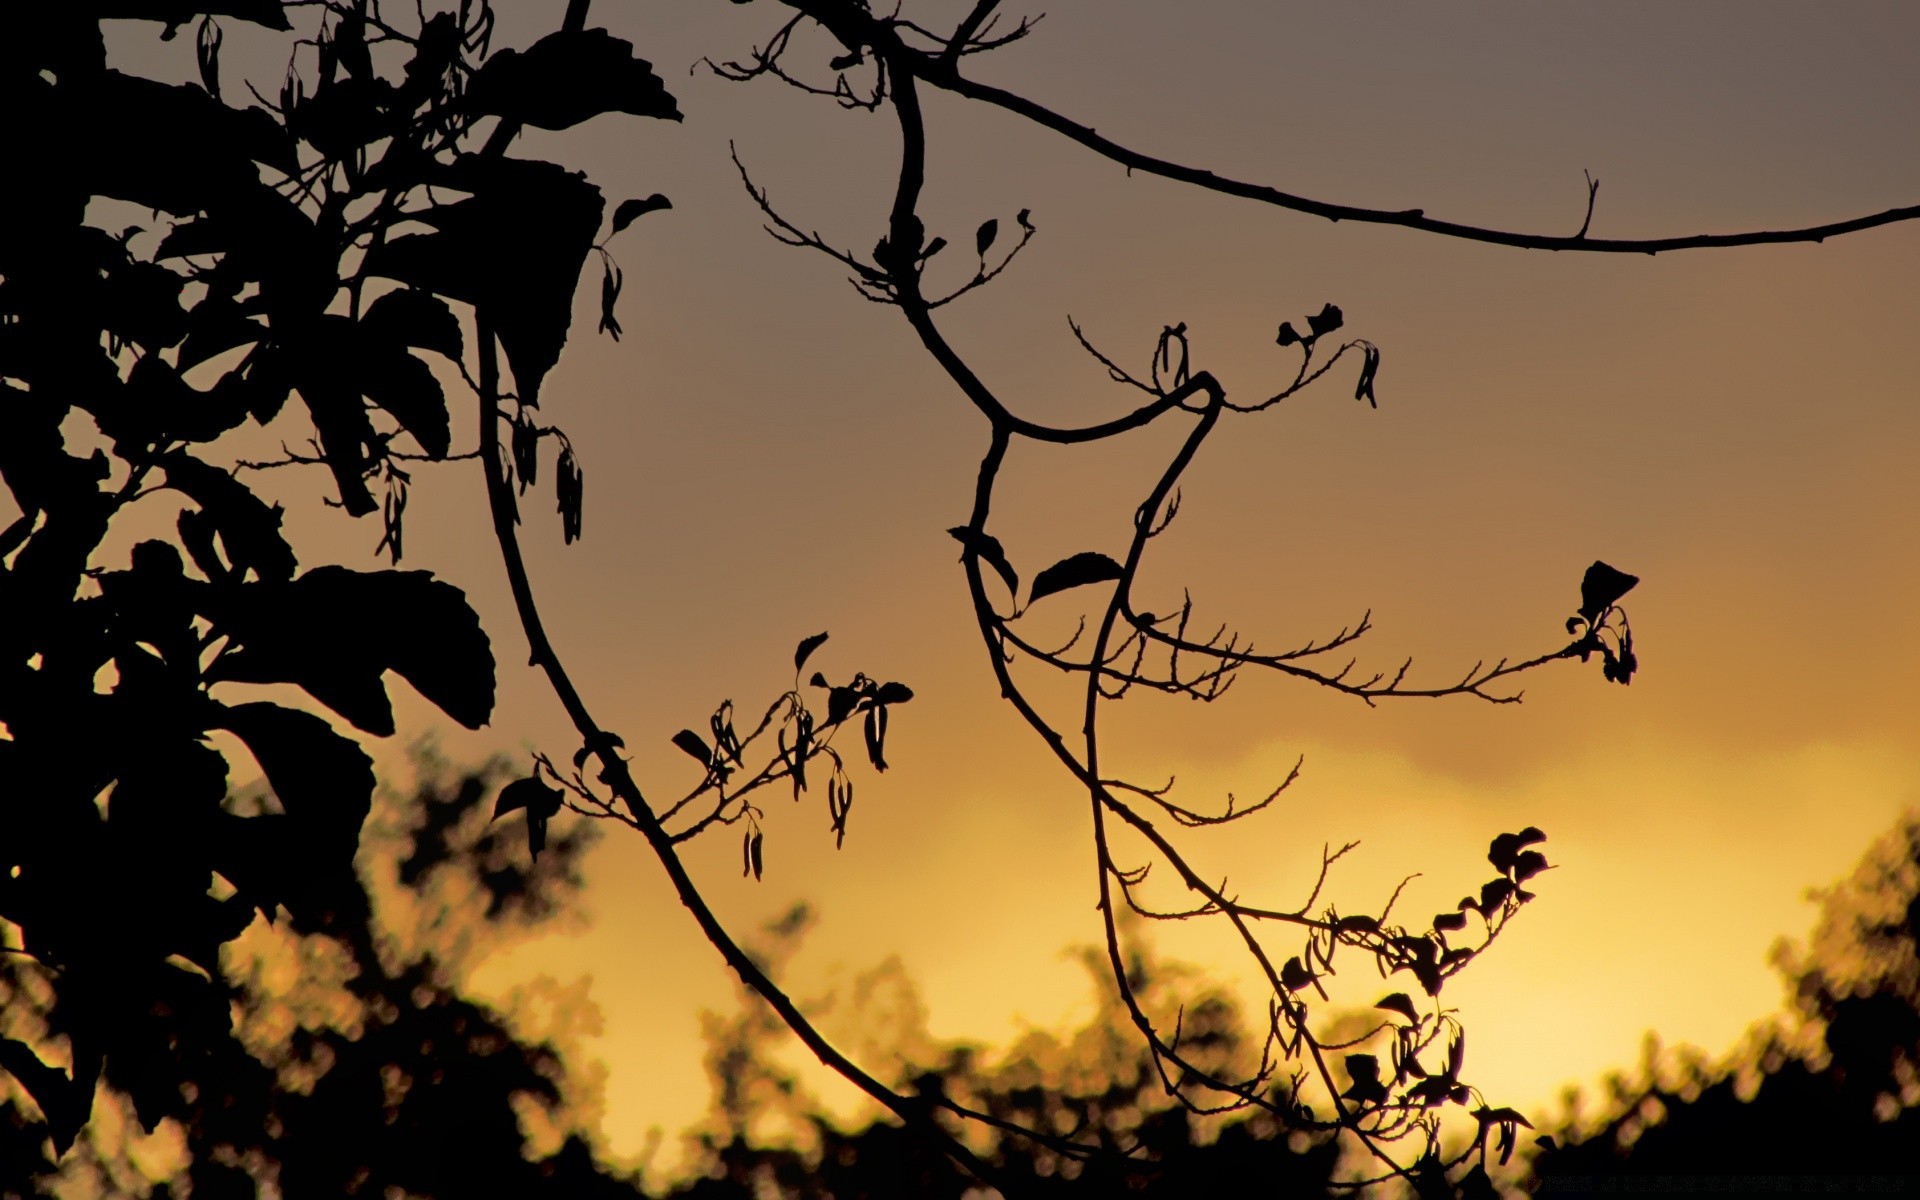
(358,1063)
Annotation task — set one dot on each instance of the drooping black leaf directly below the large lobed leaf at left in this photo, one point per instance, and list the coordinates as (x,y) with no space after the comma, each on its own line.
(324,780)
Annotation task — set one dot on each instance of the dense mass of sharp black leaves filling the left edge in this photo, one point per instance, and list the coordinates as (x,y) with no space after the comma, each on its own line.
(277,237)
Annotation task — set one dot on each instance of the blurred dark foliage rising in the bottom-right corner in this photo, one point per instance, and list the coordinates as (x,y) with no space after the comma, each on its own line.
(1829,1093)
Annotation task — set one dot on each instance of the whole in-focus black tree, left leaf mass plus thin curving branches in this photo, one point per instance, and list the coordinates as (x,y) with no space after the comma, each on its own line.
(364,241)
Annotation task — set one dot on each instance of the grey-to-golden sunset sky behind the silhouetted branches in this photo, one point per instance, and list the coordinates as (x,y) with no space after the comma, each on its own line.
(771,456)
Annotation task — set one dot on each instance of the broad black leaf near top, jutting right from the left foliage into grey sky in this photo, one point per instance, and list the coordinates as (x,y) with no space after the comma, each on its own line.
(569,78)
